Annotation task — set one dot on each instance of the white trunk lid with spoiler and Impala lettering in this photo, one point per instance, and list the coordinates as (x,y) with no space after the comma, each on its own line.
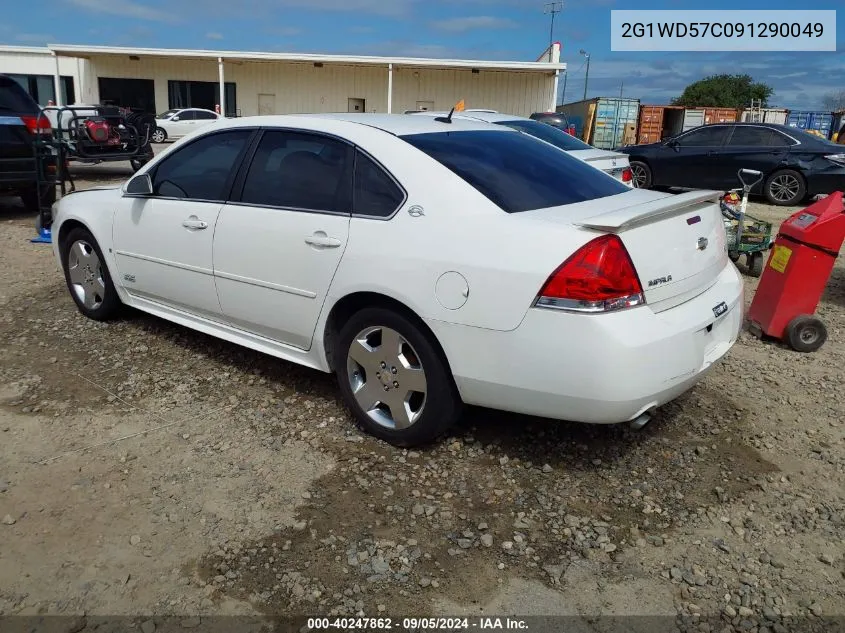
(676,242)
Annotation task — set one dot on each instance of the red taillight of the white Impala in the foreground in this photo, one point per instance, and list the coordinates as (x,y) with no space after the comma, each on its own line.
(599,277)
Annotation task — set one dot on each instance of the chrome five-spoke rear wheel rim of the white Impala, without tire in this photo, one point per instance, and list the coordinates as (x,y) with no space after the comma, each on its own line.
(386,377)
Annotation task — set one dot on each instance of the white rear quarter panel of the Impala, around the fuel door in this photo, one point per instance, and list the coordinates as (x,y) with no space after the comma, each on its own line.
(505,258)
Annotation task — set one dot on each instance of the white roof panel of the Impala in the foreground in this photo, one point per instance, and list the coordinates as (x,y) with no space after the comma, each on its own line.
(397,124)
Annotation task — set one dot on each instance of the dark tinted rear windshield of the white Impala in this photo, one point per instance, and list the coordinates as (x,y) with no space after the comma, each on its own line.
(516,171)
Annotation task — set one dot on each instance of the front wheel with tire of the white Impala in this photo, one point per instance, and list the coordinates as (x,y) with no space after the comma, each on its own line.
(87,276)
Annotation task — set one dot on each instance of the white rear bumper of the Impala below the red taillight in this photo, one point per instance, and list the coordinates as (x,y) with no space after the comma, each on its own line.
(595,368)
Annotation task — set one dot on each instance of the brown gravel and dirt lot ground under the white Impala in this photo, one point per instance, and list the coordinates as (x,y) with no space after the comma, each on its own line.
(148,470)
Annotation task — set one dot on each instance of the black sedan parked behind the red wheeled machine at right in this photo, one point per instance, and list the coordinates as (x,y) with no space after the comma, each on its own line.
(796,165)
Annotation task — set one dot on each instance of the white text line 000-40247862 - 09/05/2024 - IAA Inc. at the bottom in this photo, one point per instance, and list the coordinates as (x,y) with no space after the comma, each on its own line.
(417,624)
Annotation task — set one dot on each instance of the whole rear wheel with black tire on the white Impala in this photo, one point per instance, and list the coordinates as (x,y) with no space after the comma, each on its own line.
(421,415)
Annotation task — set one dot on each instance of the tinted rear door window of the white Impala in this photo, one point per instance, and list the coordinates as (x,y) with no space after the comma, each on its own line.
(298,170)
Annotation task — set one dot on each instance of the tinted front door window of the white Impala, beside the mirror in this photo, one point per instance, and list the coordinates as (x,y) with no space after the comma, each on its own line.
(200,170)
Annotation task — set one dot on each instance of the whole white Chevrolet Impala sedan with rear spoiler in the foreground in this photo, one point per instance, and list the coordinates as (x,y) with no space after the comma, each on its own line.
(427,263)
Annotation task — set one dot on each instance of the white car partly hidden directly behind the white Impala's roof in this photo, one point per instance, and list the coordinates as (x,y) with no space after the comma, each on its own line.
(613,163)
